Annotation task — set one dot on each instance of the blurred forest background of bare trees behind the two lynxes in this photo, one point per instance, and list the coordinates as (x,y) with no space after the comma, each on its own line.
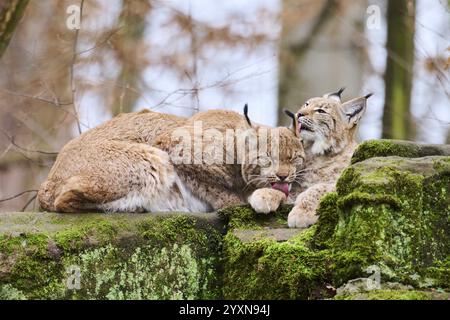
(182,56)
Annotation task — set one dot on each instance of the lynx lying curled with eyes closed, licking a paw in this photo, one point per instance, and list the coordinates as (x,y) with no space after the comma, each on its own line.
(127,165)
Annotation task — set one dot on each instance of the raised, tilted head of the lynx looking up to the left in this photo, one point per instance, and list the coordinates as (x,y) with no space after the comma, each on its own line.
(326,125)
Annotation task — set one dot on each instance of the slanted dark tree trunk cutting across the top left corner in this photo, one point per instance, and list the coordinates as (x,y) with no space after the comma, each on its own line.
(11,12)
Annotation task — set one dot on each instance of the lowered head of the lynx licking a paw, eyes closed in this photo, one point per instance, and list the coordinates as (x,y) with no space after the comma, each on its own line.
(274,160)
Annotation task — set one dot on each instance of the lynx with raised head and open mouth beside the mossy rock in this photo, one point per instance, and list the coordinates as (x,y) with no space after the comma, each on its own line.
(327,129)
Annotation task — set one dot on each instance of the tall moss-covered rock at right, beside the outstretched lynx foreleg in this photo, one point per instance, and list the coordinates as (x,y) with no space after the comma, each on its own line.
(394,213)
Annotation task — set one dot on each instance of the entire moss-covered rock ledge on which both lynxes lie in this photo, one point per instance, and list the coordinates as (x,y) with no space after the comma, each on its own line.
(386,228)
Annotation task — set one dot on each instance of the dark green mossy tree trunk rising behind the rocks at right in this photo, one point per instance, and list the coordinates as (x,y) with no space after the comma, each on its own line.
(397,120)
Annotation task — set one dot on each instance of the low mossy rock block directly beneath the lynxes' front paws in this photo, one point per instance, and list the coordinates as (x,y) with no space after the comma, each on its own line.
(270,265)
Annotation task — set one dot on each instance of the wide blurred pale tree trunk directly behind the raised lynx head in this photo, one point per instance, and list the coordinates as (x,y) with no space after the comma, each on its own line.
(318,52)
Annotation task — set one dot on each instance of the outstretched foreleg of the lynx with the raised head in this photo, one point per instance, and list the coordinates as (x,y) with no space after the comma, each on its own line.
(303,214)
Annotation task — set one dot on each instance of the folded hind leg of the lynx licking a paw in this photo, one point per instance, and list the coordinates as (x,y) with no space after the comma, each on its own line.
(124,177)
